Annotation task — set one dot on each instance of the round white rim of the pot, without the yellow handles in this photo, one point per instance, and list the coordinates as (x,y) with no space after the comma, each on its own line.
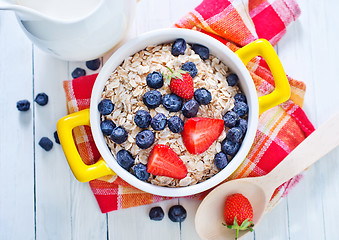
(217,49)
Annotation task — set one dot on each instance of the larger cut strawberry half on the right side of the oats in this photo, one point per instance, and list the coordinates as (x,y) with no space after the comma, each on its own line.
(199,133)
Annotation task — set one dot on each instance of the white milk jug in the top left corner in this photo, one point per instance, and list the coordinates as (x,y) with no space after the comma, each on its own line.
(73,30)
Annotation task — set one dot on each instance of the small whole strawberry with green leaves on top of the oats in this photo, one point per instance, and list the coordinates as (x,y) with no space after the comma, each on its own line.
(181,83)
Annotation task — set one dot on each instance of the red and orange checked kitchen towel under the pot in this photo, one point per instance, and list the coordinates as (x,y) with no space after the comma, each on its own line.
(280,129)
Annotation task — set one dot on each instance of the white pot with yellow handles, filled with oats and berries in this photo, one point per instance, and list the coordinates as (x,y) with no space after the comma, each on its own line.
(173,112)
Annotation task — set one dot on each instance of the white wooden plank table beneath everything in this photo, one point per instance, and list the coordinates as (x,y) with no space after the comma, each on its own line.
(40,198)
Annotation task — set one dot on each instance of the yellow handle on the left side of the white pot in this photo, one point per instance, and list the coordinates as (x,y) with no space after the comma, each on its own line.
(81,171)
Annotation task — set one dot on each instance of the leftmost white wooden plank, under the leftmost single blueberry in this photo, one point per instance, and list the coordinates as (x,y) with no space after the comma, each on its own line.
(16,137)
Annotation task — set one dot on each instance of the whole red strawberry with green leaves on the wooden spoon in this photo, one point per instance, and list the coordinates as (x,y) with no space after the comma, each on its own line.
(238,213)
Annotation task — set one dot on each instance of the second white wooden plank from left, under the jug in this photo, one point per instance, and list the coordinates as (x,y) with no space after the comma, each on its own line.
(53,193)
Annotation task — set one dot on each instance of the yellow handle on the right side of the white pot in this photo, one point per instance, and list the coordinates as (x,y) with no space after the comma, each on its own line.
(282,91)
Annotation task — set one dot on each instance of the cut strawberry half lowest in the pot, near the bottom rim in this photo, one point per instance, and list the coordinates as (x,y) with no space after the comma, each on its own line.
(163,161)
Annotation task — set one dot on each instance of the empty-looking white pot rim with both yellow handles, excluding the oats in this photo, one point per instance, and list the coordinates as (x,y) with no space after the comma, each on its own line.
(235,61)
